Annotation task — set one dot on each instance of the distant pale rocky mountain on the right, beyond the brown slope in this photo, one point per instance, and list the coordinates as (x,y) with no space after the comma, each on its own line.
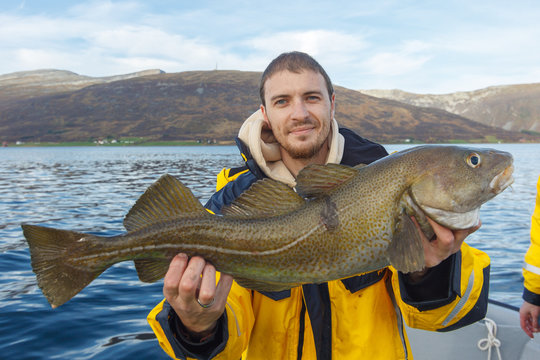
(511,107)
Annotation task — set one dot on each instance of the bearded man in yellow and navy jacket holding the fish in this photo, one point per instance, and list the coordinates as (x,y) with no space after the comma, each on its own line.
(357,317)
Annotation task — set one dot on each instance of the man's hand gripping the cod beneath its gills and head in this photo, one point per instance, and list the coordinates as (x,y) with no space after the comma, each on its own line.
(445,243)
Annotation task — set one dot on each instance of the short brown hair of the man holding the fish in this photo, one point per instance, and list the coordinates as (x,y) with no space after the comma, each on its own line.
(295,62)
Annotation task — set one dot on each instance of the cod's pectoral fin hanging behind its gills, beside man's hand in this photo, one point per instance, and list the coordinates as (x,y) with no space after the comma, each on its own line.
(406,251)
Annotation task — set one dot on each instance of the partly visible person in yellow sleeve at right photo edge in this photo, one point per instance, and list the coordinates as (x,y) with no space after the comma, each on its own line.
(529,314)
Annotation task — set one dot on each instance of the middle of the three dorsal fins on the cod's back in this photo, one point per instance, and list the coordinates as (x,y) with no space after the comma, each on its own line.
(266,197)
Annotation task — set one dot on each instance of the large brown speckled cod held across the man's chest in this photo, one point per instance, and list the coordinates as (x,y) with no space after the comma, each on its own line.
(340,221)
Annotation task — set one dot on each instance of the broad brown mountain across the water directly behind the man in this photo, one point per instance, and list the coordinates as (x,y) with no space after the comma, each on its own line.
(63,106)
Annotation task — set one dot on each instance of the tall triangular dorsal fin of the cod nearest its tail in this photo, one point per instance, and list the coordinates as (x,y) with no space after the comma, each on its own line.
(167,198)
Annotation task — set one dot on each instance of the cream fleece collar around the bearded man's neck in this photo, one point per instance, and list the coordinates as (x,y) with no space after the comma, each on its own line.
(265,149)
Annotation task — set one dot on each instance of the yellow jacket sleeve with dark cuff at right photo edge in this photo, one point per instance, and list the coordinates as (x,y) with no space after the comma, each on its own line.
(531,268)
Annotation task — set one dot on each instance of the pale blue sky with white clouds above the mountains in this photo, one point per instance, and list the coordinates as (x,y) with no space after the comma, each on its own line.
(427,47)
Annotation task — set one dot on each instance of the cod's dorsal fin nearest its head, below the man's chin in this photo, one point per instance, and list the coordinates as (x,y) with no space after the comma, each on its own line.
(318,180)
